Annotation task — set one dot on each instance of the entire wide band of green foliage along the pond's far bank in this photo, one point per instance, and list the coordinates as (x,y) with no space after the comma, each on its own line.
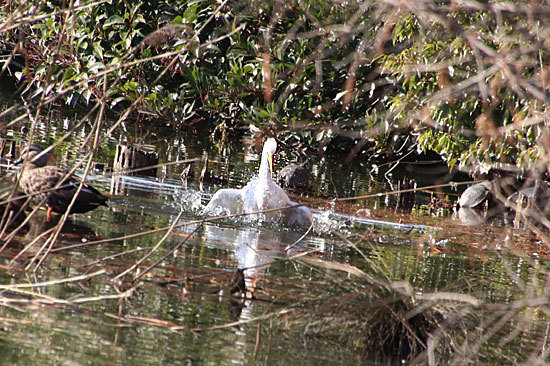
(358,70)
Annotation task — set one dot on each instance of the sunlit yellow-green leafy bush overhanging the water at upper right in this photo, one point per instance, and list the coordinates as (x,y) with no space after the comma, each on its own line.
(451,128)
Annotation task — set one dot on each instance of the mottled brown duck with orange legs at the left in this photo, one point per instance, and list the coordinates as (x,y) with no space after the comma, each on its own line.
(54,186)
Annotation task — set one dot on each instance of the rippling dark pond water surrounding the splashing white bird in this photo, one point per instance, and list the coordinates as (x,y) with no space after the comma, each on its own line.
(163,324)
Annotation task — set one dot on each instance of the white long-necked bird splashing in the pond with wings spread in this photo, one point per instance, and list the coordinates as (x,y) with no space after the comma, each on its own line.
(261,193)
